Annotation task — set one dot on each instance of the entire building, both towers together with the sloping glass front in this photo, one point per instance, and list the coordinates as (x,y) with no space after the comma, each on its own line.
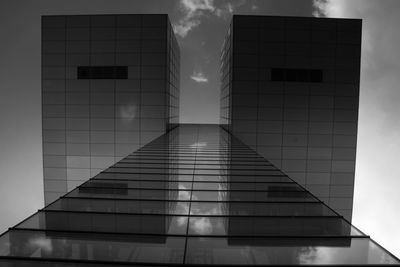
(272,184)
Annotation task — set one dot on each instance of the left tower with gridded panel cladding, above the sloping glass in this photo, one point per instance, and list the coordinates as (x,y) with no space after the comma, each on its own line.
(110,84)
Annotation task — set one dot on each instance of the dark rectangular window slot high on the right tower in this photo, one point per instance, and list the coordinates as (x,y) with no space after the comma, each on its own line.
(296,75)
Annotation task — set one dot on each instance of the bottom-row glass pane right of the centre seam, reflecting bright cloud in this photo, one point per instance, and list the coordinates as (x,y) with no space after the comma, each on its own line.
(249,251)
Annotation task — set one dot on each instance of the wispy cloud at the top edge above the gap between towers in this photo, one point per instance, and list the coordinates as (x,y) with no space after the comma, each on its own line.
(193,10)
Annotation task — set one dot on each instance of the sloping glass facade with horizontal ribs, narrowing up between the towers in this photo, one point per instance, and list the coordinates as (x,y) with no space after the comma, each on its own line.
(182,201)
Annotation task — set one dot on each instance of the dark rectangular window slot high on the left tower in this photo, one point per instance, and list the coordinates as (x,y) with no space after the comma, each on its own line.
(103,72)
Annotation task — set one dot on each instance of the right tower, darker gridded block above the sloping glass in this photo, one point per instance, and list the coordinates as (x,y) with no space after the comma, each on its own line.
(290,88)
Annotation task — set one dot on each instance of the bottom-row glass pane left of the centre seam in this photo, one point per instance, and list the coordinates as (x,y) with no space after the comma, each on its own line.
(129,248)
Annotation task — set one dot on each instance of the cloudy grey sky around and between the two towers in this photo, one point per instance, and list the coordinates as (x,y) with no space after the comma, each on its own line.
(200,27)
